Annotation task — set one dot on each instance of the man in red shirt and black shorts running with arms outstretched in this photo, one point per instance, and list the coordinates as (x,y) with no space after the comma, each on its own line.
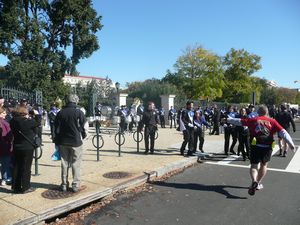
(262,130)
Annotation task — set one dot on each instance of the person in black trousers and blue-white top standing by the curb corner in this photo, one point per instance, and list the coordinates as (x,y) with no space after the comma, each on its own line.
(187,118)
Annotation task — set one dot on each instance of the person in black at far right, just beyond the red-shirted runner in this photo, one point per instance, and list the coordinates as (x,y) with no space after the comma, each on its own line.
(284,118)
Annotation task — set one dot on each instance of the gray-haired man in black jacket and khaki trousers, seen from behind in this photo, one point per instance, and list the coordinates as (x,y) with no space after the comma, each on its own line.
(69,130)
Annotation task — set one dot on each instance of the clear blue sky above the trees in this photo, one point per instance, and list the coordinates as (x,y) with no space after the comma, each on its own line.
(142,39)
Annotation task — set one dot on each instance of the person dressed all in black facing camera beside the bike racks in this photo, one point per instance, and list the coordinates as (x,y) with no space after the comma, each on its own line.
(150,121)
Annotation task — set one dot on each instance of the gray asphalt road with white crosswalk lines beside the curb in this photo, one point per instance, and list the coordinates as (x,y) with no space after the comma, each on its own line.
(214,192)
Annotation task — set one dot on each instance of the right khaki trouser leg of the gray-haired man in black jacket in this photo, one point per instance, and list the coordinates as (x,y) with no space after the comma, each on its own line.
(76,167)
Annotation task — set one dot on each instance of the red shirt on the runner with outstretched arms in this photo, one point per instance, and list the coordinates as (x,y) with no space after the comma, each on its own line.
(262,126)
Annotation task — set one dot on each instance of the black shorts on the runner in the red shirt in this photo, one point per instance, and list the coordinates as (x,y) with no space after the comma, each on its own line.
(260,154)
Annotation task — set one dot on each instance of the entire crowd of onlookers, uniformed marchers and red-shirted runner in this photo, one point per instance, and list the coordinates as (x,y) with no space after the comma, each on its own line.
(252,129)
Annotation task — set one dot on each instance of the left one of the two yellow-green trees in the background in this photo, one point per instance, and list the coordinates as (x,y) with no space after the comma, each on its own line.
(198,74)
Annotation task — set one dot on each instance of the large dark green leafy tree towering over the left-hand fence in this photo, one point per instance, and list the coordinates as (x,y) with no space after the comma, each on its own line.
(44,39)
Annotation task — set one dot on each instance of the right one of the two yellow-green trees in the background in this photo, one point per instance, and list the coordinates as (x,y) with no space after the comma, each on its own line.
(239,65)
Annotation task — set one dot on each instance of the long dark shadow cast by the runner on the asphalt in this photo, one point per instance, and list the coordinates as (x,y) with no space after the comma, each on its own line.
(221,189)
